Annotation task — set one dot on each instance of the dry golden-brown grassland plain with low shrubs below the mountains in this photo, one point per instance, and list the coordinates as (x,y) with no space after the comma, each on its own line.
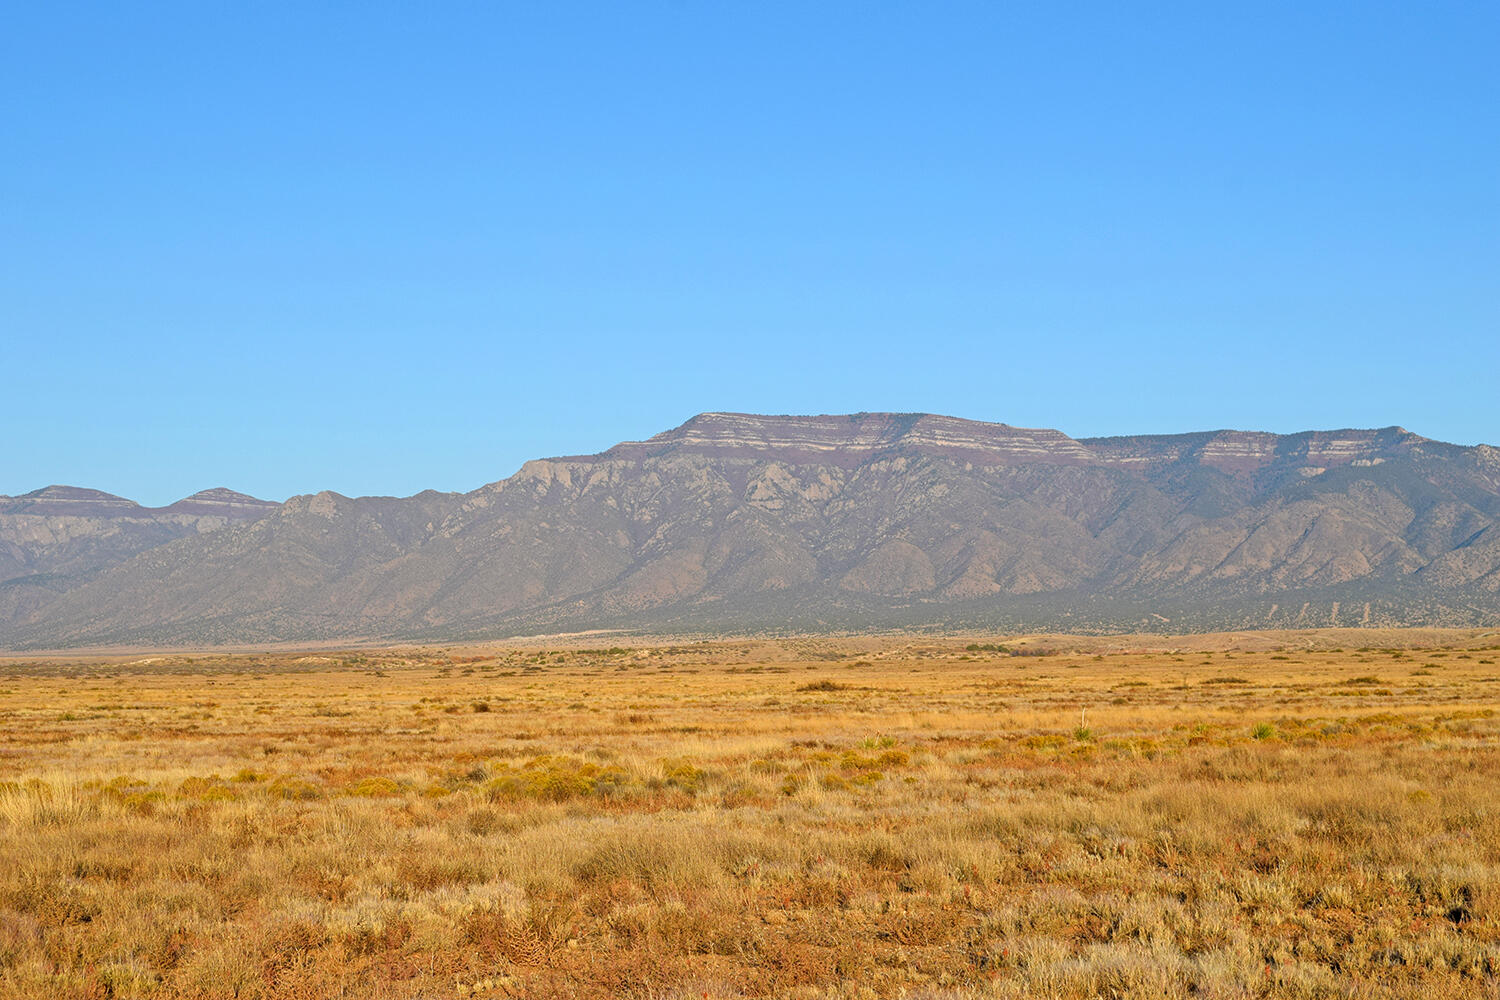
(1241,816)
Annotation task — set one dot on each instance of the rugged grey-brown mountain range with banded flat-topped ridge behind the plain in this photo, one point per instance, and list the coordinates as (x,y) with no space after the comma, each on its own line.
(737,522)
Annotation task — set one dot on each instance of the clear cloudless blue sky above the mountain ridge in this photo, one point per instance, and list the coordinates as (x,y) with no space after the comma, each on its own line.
(388,247)
